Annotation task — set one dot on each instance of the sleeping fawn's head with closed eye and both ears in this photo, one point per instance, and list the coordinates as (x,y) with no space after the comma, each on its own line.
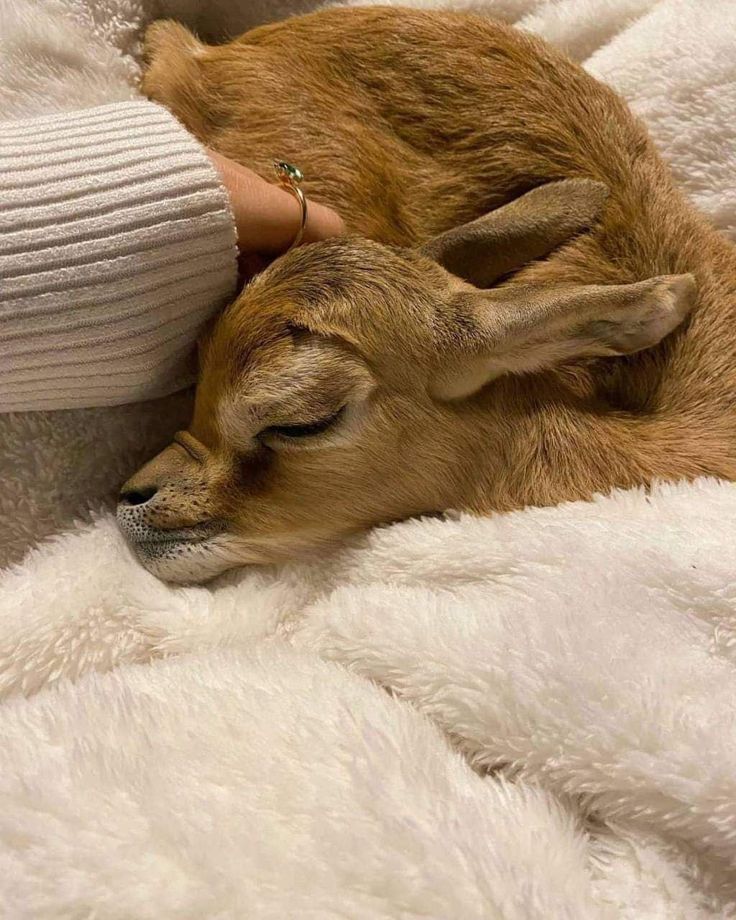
(342,388)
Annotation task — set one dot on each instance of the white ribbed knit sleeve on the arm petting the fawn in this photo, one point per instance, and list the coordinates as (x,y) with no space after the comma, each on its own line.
(116,244)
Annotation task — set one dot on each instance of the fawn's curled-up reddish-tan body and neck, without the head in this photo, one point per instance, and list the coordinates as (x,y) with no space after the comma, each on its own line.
(411,123)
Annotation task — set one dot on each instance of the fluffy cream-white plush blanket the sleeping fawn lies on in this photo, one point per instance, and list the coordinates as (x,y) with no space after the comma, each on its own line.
(558,740)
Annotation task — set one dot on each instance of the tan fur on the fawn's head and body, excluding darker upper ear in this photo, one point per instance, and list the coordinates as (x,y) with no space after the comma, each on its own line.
(411,123)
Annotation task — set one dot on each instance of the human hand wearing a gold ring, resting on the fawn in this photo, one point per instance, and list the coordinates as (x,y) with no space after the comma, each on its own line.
(267,216)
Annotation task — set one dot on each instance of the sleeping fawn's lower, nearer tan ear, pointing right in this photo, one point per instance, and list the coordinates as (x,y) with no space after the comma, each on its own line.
(529,328)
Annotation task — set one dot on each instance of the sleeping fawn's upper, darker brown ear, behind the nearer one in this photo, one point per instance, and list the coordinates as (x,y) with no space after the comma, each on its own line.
(528,228)
